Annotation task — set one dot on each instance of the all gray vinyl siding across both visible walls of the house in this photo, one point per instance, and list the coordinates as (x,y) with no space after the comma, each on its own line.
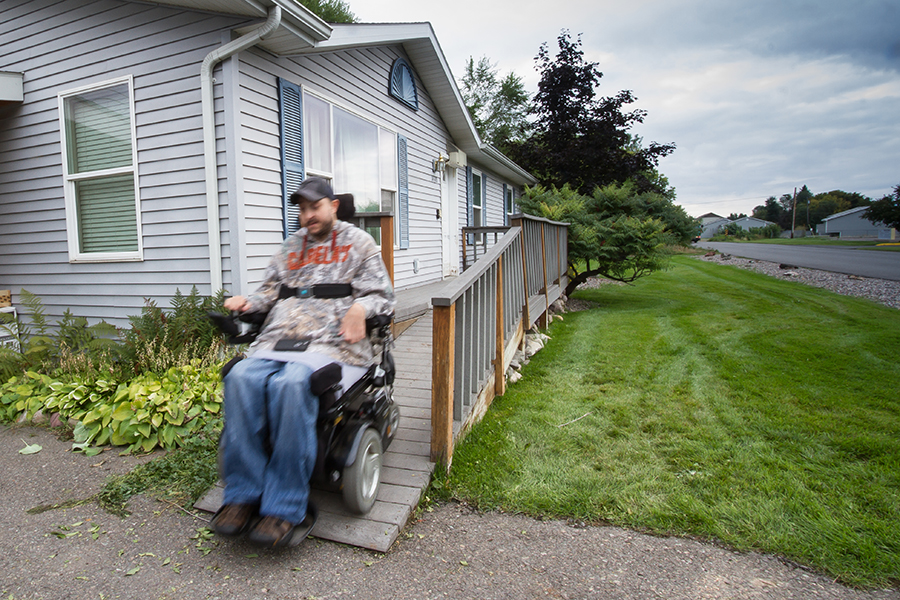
(60,46)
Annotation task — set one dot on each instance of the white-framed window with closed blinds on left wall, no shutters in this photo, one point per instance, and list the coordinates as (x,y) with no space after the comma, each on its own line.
(100,172)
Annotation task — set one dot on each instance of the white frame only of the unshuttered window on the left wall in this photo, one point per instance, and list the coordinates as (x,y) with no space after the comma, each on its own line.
(70,180)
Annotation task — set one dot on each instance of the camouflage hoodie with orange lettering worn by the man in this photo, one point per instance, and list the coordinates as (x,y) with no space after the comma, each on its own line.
(346,255)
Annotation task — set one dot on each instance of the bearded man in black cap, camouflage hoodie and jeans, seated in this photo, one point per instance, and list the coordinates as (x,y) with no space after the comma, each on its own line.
(319,289)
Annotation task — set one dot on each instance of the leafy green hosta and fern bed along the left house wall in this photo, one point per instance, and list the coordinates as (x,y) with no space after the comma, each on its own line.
(156,386)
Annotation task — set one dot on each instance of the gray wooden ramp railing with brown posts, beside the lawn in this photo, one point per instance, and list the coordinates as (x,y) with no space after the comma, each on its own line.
(480,319)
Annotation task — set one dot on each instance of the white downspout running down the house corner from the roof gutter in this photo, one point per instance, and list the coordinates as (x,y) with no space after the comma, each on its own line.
(209,137)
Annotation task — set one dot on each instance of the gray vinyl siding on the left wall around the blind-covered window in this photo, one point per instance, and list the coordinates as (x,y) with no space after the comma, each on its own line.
(60,46)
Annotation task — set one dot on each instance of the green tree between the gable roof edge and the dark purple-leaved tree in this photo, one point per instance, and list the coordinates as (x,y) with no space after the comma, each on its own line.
(498,105)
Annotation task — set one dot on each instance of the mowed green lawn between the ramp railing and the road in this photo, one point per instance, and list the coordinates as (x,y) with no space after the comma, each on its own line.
(719,403)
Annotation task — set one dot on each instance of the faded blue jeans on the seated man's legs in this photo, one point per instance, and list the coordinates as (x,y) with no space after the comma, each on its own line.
(270,437)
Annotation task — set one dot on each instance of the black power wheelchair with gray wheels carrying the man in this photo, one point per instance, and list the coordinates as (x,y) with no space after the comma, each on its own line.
(357,419)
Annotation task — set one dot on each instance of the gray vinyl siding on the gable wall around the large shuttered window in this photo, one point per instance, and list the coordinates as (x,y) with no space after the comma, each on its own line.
(356,80)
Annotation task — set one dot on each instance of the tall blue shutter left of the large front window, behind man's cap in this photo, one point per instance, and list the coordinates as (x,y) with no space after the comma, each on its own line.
(290,102)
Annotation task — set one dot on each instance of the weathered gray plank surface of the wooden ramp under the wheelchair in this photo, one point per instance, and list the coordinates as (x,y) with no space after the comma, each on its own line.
(407,468)
